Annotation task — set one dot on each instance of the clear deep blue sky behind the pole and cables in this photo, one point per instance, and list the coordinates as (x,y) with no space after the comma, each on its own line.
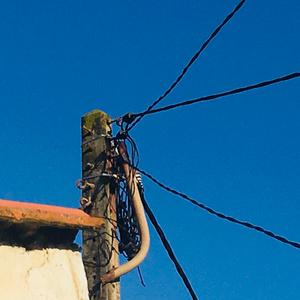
(240,155)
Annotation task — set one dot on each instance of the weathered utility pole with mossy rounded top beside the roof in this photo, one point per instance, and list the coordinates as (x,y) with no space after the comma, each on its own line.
(100,248)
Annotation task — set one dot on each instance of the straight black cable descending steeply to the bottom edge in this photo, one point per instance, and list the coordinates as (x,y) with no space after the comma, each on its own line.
(168,247)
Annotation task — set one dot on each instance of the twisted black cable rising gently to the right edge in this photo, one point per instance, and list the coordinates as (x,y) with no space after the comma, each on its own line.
(219,95)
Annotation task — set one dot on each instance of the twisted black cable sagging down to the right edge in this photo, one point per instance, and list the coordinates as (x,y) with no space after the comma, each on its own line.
(219,214)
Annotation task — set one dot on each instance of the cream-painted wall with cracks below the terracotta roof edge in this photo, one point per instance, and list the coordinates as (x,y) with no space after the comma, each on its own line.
(47,274)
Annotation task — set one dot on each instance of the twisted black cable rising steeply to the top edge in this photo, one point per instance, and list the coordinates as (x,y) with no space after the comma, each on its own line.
(192,60)
